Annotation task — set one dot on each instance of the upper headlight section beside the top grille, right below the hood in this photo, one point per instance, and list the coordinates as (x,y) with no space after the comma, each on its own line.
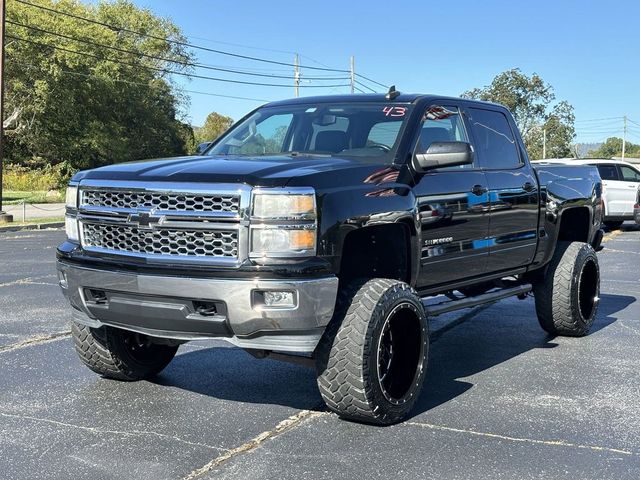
(284,206)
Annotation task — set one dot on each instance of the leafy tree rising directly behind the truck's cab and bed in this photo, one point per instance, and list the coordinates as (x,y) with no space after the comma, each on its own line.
(530,100)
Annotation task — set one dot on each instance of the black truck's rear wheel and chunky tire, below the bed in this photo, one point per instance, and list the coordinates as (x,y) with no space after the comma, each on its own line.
(567,297)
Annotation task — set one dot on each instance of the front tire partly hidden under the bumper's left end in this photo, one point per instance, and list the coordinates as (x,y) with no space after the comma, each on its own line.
(120,354)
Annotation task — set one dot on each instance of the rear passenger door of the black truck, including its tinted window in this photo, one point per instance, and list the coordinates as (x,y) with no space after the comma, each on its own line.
(513,189)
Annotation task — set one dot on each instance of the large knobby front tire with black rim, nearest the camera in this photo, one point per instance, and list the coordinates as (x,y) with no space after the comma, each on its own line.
(372,359)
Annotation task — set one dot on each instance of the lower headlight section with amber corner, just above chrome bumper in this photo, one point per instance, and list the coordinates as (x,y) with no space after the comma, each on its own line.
(279,241)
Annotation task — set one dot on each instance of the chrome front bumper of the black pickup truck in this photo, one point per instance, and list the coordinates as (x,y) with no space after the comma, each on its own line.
(168,307)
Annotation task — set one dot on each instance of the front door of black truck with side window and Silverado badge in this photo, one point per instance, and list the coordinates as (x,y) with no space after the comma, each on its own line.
(453,206)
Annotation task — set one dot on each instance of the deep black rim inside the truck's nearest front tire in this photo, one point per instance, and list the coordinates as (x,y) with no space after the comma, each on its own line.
(400,353)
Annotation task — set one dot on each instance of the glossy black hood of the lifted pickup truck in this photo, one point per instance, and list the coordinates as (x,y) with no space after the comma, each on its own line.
(268,171)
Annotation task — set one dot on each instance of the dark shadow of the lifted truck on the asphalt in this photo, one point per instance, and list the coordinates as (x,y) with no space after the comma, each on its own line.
(507,331)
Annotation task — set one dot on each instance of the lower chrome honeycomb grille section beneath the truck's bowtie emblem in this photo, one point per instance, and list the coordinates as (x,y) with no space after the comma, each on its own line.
(160,241)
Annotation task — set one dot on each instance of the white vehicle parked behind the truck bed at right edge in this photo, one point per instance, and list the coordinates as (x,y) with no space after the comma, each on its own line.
(620,182)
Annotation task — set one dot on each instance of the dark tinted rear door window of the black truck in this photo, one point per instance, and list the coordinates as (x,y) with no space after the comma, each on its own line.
(494,139)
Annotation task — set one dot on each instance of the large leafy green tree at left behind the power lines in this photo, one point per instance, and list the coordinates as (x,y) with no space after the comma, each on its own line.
(99,106)
